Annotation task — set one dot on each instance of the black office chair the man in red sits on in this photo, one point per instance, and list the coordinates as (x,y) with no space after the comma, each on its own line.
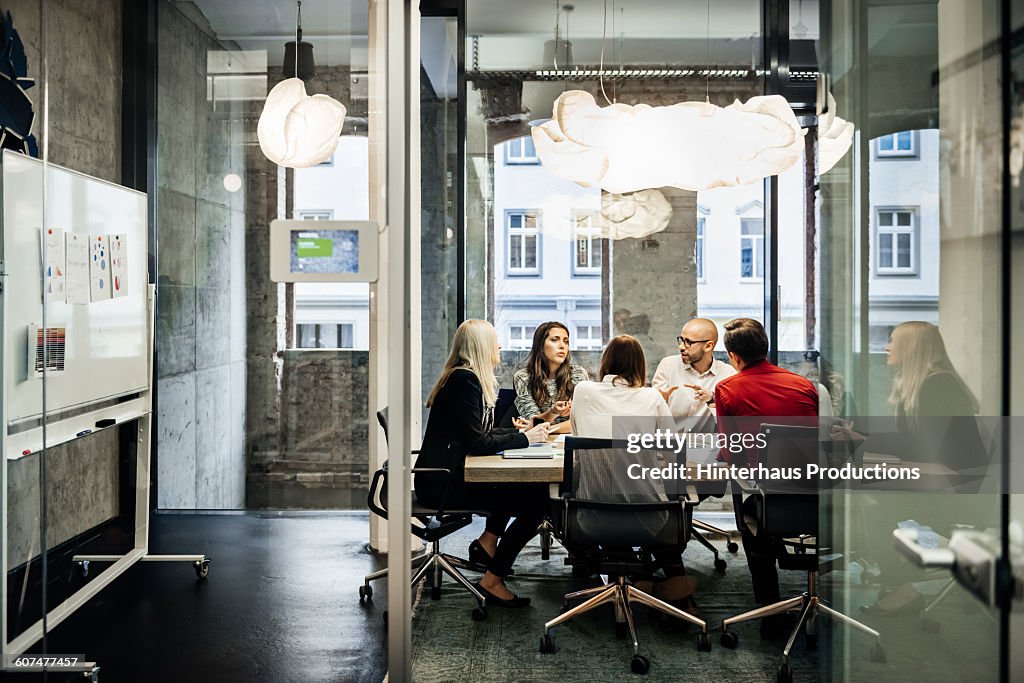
(789,515)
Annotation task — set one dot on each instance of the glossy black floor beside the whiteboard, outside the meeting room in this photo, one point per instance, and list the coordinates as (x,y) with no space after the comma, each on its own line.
(280,605)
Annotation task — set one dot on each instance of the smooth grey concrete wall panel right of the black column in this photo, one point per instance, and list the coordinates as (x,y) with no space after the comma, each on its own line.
(201,295)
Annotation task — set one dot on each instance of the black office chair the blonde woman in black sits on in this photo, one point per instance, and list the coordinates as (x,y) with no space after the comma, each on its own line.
(435,525)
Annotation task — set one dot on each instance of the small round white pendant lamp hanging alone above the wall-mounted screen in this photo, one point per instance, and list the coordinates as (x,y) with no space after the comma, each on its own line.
(300,131)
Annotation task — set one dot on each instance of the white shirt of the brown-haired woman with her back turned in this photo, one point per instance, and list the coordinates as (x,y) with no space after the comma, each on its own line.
(596,404)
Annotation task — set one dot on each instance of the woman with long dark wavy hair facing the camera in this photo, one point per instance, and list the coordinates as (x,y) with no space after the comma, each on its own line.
(544,389)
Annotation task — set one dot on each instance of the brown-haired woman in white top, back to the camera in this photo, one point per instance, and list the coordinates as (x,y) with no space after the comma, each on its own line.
(619,405)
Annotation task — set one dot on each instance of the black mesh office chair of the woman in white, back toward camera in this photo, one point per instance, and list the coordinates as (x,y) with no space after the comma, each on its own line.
(617,522)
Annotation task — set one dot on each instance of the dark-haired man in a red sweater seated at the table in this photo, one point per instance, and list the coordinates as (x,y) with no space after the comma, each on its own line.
(758,390)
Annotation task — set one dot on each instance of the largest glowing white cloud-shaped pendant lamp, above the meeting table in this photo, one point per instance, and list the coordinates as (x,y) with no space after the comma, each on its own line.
(691,146)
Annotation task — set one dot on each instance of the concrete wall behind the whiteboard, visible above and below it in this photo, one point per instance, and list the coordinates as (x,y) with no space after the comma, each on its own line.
(84,44)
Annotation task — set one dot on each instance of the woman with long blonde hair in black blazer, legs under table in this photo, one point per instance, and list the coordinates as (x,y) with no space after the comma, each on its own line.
(461,424)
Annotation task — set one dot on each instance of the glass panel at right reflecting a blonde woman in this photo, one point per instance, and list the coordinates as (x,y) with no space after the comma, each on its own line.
(913,314)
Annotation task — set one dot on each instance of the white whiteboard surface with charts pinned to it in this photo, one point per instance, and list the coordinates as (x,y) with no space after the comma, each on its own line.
(107,352)
